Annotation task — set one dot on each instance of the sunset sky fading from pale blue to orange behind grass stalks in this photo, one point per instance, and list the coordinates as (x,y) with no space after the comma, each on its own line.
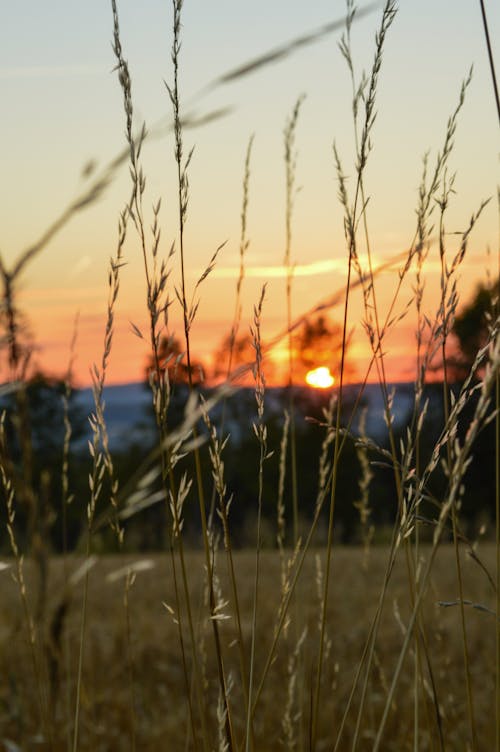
(62,109)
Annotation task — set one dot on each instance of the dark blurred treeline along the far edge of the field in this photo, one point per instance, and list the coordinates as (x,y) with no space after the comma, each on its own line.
(51,486)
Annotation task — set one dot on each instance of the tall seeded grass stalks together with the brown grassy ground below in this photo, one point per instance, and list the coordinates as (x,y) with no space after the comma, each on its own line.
(386,647)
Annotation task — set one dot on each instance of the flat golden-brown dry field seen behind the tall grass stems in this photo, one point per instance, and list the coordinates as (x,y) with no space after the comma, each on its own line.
(159,700)
